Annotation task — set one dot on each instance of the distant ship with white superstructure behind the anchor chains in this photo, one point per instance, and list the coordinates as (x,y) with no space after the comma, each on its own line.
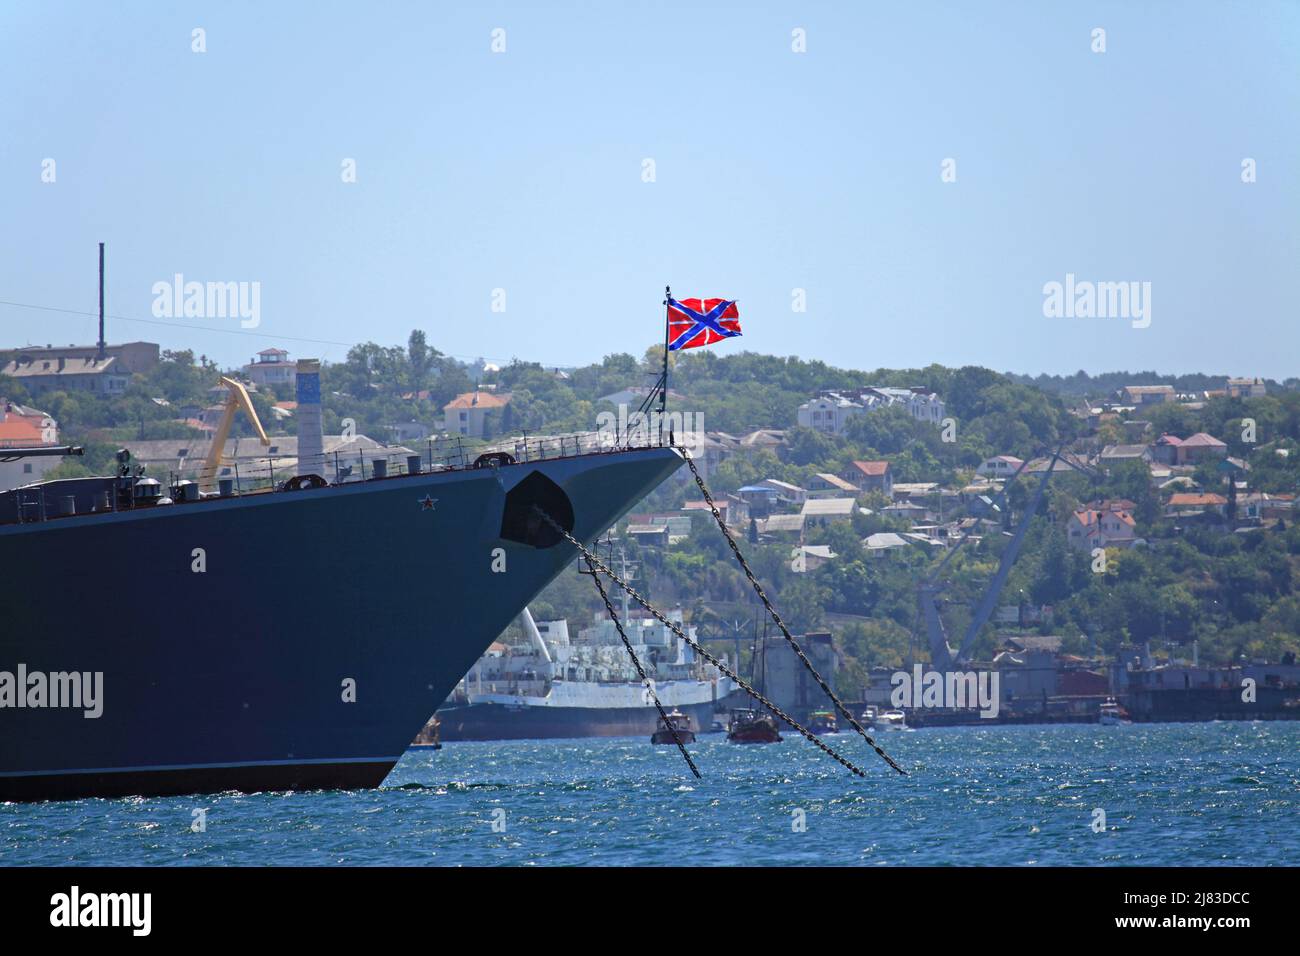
(557,686)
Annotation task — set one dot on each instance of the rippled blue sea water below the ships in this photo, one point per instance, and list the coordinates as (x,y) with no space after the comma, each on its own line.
(1204,794)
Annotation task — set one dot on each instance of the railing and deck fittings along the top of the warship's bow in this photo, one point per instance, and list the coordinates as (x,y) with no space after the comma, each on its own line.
(352,466)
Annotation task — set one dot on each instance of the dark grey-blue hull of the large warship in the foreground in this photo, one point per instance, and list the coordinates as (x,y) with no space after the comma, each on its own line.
(235,678)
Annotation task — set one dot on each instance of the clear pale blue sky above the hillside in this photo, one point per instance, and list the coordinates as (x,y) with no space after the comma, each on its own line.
(775,171)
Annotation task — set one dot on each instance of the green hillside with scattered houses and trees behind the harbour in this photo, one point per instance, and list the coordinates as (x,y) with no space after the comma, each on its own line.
(846,499)
